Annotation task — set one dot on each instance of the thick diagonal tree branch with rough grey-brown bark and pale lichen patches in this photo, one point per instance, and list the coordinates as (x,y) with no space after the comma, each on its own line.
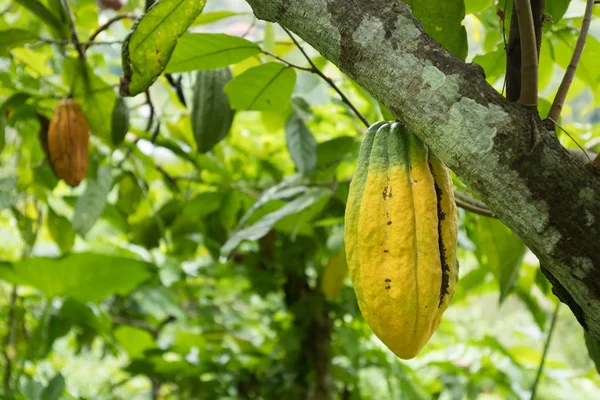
(500,149)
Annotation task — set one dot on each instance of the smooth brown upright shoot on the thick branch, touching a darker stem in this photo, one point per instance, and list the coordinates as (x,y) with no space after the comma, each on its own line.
(529,58)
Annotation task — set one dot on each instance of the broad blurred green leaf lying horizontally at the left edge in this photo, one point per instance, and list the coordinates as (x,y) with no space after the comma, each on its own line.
(83,276)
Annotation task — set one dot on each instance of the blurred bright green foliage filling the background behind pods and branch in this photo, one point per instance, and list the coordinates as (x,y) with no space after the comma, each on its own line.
(120,289)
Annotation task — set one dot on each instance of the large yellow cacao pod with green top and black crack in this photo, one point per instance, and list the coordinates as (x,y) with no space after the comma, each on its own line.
(400,237)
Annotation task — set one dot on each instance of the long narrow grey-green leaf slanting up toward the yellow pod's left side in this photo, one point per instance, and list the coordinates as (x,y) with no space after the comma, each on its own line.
(264,225)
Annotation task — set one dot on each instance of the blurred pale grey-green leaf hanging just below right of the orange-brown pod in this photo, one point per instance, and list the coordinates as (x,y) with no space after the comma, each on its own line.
(90,204)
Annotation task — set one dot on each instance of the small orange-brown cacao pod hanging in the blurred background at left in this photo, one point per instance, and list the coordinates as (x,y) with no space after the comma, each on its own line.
(68,139)
